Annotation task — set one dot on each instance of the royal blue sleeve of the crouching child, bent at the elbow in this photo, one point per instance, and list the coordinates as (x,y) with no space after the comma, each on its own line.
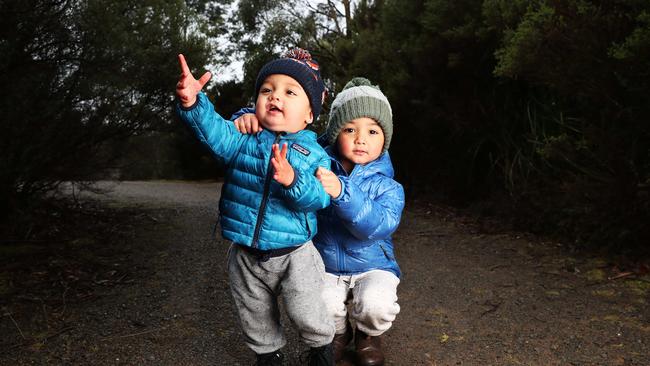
(366,218)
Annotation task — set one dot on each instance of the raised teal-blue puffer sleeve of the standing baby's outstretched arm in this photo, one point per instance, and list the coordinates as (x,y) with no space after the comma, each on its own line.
(219,135)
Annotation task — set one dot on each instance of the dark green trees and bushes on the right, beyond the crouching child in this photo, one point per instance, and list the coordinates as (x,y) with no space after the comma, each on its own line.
(543,101)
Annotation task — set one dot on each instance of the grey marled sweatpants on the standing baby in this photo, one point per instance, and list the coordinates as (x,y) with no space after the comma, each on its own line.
(255,286)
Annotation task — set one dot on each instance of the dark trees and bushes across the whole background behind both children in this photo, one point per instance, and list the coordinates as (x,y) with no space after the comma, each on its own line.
(537,112)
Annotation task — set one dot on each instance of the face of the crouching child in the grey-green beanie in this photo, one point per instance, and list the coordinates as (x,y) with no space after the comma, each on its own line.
(360,142)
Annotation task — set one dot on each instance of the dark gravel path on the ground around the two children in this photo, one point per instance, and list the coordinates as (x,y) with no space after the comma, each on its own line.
(157,294)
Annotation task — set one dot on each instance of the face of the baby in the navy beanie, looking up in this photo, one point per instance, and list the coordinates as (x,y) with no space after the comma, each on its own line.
(282,104)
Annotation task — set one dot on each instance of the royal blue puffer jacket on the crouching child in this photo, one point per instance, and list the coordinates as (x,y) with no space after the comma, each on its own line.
(354,233)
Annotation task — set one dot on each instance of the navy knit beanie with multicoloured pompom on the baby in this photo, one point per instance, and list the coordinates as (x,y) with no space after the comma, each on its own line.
(298,64)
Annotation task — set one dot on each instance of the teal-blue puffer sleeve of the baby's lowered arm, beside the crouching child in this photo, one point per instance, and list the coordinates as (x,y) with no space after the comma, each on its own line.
(306,193)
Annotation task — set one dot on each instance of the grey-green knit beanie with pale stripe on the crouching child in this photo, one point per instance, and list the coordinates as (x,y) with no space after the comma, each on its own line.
(359,98)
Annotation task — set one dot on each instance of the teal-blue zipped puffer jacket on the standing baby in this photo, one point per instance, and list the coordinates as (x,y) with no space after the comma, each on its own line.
(256,210)
